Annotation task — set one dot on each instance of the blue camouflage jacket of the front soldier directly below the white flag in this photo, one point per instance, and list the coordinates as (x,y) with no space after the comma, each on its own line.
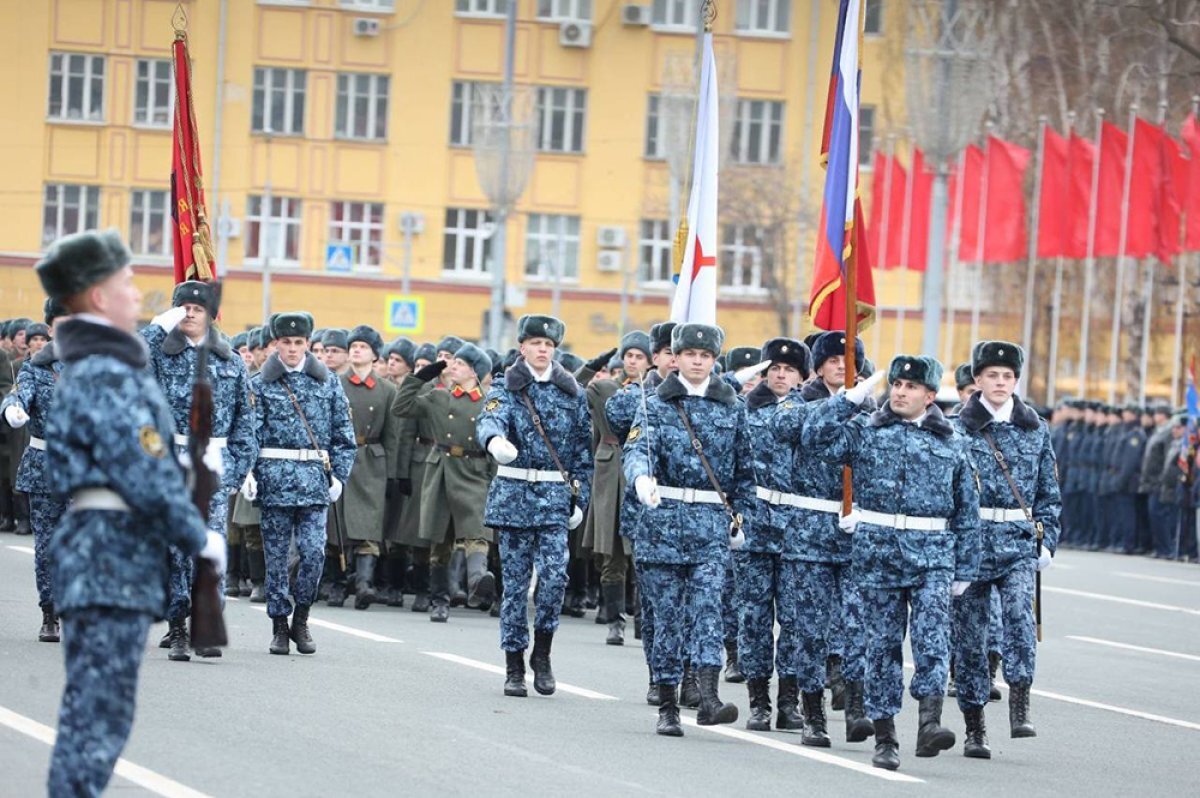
(677,532)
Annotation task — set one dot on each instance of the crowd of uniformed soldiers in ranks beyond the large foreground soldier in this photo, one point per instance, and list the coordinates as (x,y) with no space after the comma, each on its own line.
(694,488)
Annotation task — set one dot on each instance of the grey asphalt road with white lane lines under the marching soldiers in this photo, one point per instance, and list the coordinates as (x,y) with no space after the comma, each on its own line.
(394,705)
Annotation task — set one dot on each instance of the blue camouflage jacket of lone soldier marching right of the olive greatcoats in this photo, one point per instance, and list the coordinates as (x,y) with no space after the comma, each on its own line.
(563,409)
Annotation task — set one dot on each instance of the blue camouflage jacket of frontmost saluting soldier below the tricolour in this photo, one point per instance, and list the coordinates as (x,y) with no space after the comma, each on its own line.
(903,469)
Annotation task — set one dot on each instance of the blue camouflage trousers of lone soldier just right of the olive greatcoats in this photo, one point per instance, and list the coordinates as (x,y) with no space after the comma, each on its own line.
(523,553)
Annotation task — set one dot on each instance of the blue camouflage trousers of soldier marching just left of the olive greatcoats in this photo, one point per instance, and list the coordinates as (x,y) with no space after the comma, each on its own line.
(280,526)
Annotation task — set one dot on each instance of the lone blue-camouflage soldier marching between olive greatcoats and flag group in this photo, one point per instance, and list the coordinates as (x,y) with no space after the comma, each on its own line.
(536,427)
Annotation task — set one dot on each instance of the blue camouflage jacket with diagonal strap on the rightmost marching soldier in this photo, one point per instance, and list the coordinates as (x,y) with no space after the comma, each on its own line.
(1027,446)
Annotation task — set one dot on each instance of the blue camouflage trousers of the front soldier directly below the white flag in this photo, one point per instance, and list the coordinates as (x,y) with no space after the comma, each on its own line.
(687,603)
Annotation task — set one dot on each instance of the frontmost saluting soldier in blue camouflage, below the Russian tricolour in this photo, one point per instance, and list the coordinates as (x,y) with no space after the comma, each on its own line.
(916,538)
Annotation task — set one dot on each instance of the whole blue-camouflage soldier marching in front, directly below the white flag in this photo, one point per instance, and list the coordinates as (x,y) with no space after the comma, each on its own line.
(689,525)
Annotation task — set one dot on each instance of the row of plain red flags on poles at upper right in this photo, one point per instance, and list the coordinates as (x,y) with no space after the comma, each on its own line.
(1163,205)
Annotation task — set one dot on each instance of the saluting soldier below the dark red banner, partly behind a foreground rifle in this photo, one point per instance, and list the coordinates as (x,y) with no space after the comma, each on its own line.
(172,339)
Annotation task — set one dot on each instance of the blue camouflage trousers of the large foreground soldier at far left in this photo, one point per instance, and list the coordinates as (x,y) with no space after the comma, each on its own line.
(103,649)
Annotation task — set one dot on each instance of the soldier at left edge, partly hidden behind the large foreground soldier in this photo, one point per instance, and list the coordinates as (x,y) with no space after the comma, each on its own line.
(31,404)
